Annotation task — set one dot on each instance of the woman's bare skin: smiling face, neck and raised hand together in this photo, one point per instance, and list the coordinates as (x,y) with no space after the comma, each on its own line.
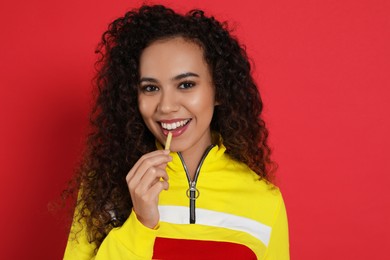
(171,101)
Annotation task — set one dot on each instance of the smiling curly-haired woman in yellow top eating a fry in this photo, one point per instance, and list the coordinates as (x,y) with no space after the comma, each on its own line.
(210,196)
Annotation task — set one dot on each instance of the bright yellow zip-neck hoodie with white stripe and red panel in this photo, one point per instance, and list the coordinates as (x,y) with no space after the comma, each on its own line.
(227,213)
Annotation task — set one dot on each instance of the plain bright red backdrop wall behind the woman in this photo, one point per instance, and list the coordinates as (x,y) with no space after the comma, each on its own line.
(322,67)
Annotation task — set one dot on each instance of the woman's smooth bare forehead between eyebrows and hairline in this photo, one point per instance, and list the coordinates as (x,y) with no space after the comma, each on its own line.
(173,56)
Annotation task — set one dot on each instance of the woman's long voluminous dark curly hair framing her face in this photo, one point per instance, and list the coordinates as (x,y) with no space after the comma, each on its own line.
(119,137)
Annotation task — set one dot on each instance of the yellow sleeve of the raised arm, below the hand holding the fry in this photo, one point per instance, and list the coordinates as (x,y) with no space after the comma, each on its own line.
(130,241)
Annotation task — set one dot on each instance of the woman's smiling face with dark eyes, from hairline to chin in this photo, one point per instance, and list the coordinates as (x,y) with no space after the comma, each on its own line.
(176,94)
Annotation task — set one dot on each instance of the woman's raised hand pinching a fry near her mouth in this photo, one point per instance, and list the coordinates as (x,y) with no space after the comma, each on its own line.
(146,180)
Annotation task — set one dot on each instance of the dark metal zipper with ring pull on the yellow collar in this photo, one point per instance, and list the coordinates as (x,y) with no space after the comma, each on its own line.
(192,192)
